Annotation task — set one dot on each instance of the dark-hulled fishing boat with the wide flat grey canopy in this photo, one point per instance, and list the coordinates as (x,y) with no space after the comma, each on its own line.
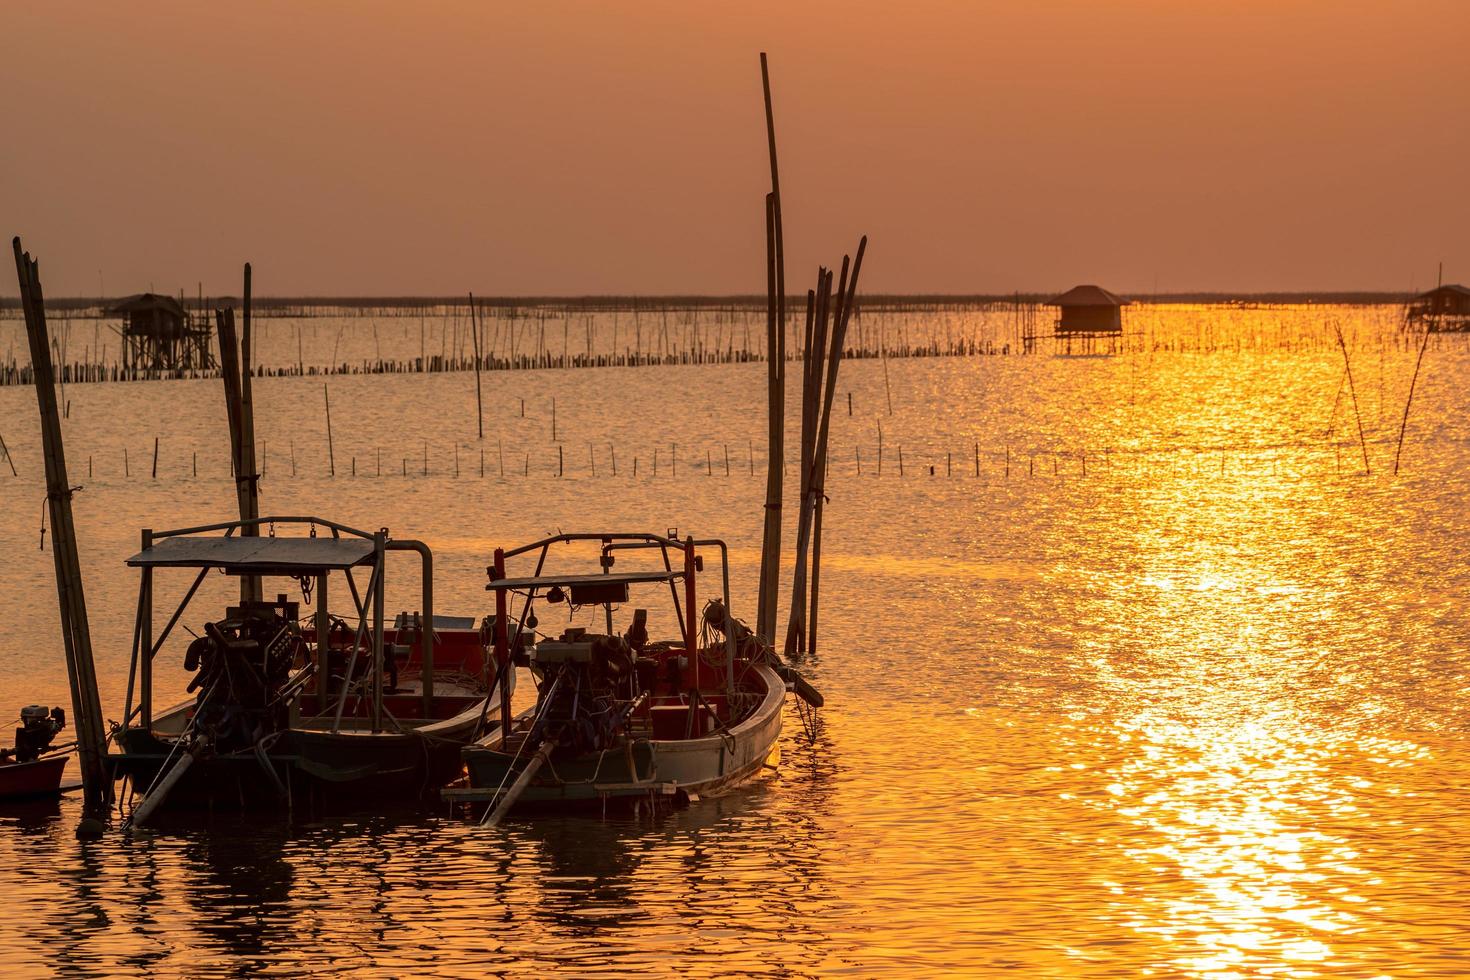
(283,702)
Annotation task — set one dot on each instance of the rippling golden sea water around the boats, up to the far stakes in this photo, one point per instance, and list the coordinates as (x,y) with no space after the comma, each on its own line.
(1186,693)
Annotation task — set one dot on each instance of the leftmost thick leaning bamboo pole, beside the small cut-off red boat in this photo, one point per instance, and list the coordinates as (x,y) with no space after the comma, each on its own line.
(76,631)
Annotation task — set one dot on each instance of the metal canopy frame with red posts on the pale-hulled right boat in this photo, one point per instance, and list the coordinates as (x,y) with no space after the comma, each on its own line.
(609,543)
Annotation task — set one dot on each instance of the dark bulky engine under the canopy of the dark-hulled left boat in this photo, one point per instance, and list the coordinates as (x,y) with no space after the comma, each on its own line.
(242,666)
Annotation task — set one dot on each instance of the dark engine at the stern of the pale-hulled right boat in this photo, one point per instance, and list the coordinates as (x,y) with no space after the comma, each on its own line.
(583,685)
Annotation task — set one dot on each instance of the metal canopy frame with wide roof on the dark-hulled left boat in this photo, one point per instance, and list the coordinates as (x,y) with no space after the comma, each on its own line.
(343,550)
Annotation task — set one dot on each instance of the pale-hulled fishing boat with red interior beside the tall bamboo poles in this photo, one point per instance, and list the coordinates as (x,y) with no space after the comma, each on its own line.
(618,713)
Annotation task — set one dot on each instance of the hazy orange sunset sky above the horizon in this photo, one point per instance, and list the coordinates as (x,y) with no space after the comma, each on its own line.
(618,148)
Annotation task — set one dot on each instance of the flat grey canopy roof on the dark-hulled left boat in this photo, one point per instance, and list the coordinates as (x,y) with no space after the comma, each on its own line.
(257,556)
